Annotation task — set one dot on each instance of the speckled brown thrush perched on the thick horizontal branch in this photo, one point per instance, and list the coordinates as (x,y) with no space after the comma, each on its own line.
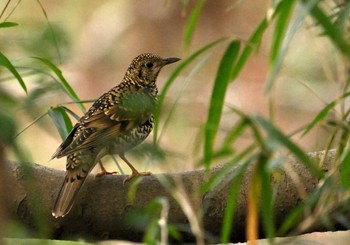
(116,122)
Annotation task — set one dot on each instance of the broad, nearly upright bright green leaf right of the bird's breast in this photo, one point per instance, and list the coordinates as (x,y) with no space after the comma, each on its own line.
(223,77)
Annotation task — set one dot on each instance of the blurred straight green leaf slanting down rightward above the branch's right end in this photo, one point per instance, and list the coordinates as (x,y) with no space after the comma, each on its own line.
(278,136)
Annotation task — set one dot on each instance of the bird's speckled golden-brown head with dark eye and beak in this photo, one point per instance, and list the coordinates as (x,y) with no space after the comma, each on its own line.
(146,67)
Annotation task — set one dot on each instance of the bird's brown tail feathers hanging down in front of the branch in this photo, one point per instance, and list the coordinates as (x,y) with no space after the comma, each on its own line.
(66,196)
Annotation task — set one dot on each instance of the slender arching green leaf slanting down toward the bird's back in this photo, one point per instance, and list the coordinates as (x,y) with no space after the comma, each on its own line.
(66,87)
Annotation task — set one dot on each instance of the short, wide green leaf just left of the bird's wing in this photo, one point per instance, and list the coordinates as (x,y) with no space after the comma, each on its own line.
(61,121)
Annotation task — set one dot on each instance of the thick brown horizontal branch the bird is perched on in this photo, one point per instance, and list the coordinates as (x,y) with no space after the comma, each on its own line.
(103,208)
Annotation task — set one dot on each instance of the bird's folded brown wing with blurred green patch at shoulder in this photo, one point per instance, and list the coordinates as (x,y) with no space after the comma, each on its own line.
(104,123)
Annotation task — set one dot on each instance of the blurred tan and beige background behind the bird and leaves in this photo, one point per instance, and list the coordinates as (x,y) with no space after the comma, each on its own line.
(93,42)
